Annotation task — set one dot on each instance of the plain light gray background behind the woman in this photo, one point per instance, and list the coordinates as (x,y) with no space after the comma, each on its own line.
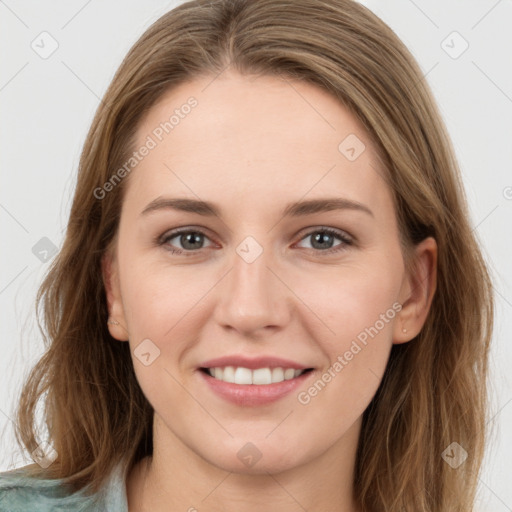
(47,105)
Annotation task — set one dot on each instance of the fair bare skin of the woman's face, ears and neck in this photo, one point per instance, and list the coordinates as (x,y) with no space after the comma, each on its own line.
(251,146)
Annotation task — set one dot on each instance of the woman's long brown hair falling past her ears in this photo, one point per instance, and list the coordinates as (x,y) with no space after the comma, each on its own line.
(434,391)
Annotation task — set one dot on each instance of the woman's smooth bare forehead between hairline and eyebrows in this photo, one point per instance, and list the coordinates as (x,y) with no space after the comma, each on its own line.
(263,137)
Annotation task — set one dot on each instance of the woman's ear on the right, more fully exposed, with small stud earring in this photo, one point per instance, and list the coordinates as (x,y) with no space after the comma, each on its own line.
(417,292)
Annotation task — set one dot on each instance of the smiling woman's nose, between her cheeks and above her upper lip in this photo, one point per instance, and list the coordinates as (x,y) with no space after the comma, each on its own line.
(253,298)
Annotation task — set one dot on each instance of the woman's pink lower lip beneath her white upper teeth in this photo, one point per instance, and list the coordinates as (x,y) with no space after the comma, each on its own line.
(254,394)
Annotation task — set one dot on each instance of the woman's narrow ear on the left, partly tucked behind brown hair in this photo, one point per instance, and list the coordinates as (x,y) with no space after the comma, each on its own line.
(110,274)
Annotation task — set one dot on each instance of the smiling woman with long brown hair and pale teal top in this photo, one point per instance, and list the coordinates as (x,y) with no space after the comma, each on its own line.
(259,368)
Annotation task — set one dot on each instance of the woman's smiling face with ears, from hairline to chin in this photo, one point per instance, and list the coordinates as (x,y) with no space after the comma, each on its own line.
(256,278)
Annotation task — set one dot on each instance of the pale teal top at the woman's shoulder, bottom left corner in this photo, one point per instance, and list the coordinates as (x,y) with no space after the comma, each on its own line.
(20,493)
